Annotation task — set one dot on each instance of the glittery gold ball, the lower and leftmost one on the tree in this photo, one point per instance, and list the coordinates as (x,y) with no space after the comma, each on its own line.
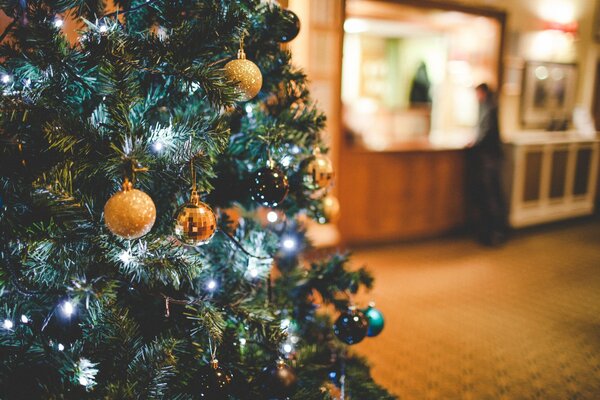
(129,213)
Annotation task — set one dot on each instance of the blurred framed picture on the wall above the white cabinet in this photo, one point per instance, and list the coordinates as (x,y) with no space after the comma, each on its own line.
(548,94)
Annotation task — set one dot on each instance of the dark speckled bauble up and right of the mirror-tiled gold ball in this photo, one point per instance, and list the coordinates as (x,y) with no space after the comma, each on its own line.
(269,186)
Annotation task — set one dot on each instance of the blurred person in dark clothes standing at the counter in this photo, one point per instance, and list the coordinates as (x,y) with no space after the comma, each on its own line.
(484,163)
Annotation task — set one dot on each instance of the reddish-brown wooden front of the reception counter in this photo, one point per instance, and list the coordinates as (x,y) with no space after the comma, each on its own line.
(412,192)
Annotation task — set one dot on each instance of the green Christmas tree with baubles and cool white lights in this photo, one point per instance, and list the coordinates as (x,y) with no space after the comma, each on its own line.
(152,170)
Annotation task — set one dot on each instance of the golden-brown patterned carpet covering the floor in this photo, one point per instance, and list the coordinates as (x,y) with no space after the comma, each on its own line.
(467,322)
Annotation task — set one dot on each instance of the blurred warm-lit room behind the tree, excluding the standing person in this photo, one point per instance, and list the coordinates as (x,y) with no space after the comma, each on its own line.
(396,78)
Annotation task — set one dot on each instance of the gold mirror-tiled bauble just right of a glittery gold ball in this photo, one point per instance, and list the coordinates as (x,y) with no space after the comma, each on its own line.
(196,223)
